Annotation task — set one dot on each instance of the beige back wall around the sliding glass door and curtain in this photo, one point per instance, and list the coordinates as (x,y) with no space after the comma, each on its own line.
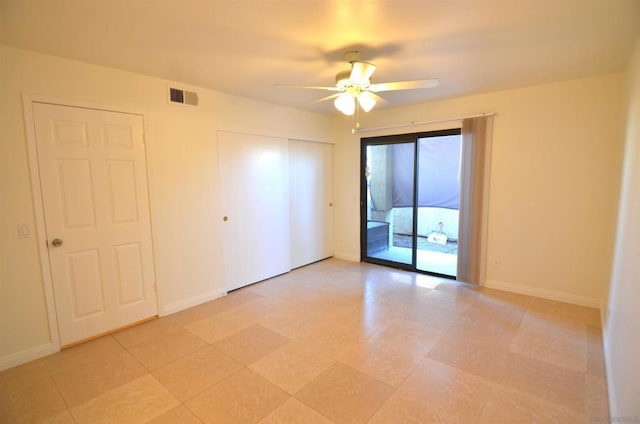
(555,171)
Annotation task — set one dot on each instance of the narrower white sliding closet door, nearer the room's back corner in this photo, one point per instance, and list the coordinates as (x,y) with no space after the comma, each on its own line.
(311,167)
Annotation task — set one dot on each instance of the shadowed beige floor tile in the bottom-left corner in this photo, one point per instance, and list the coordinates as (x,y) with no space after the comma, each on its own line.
(29,395)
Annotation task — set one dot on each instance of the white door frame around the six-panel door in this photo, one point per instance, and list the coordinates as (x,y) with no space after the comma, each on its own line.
(38,205)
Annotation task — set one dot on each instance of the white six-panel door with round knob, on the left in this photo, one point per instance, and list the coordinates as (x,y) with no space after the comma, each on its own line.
(94,187)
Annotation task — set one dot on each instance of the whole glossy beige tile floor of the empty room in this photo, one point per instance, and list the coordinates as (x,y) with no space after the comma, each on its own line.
(333,342)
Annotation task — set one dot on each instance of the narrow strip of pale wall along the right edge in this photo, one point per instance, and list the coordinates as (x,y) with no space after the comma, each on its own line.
(622,329)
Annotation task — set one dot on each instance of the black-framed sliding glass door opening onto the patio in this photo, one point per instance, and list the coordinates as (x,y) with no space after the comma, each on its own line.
(410,190)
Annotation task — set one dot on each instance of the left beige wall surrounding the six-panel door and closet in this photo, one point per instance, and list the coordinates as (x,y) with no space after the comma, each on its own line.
(183,180)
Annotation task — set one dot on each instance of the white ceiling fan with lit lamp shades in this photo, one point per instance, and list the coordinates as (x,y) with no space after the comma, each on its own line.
(354,88)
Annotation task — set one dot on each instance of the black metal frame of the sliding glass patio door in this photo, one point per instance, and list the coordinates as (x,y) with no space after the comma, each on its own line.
(391,140)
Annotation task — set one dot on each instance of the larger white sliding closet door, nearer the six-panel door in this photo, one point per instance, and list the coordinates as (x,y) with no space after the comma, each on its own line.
(254,190)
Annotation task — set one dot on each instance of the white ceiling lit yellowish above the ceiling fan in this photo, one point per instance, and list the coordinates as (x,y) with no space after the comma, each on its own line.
(244,47)
